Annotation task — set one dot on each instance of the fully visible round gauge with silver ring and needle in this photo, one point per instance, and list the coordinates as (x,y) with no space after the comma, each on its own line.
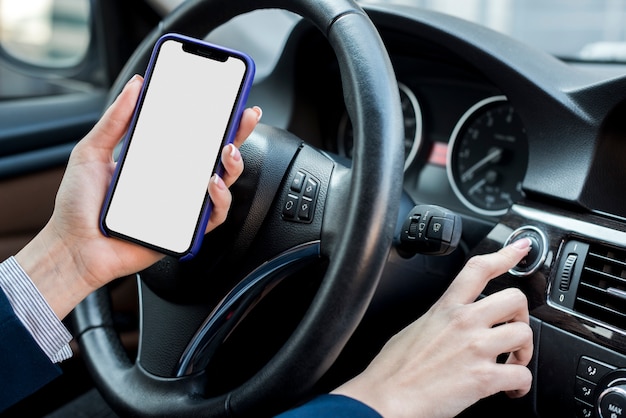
(488,156)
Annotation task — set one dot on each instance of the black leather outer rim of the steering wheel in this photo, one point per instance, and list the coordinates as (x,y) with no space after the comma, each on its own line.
(371,96)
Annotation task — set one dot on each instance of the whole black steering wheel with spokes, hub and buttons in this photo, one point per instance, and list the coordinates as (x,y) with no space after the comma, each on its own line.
(350,227)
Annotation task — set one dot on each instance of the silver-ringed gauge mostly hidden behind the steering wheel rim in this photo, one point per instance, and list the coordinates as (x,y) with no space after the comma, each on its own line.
(412,128)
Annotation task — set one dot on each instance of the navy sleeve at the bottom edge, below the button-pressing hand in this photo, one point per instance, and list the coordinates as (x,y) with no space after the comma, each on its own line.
(332,406)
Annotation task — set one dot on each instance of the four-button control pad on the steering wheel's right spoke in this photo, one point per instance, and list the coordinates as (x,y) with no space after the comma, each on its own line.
(299,204)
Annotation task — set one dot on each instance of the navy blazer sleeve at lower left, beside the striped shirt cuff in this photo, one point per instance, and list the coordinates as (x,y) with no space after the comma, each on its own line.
(24,367)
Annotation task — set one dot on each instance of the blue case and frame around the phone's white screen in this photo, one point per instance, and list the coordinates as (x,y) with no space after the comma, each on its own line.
(205,213)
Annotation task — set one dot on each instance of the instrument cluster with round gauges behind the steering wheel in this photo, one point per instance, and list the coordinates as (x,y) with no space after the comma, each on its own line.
(480,146)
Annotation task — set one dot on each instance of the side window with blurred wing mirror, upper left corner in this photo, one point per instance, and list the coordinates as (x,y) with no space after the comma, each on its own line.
(43,44)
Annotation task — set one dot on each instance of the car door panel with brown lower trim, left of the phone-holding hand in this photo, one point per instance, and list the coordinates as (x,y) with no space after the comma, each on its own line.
(36,138)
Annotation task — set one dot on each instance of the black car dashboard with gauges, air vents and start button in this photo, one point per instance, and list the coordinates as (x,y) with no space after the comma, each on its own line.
(518,143)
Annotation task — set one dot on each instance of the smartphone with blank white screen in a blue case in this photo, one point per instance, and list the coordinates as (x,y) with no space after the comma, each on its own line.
(190,106)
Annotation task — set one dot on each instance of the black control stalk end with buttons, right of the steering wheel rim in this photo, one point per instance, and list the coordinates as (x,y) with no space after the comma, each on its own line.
(430,230)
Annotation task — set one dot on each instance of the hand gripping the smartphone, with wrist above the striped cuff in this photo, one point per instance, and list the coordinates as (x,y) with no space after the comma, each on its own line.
(71,257)
